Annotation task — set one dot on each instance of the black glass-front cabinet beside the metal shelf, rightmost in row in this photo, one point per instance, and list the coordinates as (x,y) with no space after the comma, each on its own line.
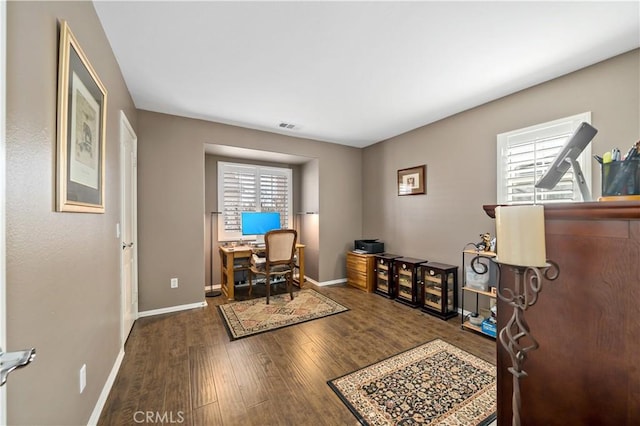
(440,289)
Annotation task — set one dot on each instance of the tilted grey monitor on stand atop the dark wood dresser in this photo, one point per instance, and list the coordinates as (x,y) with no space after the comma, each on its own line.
(568,157)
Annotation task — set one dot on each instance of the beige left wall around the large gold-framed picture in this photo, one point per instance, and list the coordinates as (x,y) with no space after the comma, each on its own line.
(63,269)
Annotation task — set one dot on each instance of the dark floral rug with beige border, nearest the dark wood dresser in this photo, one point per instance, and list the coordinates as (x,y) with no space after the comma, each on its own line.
(434,383)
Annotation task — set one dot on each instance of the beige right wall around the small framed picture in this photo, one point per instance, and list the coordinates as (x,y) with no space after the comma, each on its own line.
(460,154)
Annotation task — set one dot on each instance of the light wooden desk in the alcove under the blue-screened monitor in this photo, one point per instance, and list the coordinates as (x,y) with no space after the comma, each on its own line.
(239,258)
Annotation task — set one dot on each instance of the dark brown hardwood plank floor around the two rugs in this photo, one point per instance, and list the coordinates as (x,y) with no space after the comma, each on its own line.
(181,368)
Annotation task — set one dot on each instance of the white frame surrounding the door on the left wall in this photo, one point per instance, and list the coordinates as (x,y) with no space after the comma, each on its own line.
(126,130)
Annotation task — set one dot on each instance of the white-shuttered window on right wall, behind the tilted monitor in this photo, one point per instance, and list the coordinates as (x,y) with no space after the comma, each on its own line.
(524,156)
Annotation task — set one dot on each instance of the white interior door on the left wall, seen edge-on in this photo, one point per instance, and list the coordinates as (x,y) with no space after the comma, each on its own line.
(129,257)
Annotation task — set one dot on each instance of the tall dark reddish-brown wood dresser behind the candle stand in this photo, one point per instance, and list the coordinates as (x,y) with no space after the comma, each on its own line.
(587,322)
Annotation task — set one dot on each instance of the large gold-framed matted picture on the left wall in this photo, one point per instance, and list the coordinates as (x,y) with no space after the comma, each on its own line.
(82,115)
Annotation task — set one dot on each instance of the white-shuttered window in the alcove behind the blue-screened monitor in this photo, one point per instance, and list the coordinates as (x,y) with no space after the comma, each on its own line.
(251,188)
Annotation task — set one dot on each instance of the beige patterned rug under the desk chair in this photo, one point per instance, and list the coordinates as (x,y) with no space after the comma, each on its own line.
(249,317)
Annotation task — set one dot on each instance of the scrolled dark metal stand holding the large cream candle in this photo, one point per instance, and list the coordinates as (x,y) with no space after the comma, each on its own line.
(516,337)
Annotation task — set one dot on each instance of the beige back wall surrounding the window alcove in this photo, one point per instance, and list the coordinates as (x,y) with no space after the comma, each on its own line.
(173,230)
